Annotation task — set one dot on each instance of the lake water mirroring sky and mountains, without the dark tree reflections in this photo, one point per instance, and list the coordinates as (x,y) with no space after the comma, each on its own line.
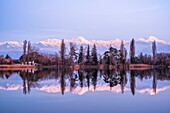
(46,96)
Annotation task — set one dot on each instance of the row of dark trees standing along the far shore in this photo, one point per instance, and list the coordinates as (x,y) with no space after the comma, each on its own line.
(87,56)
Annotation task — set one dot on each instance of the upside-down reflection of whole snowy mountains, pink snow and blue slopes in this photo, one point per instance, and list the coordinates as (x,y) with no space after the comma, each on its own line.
(54,86)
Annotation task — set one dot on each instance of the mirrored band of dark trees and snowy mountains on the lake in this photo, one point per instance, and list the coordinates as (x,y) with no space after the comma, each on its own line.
(81,81)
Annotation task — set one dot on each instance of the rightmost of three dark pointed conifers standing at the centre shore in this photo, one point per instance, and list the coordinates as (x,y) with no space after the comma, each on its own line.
(94,55)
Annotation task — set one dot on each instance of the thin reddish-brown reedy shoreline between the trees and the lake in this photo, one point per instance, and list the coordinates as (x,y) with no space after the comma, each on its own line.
(77,67)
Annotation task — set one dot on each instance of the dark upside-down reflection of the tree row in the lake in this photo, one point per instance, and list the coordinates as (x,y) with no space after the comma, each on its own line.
(111,77)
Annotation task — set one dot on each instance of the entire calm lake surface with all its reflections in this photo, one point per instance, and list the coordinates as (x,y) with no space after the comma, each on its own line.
(85,91)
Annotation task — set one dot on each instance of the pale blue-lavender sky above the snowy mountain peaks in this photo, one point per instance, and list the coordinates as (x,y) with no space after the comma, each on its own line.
(37,20)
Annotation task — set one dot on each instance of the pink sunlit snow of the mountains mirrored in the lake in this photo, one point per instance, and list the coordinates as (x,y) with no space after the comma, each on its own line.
(80,91)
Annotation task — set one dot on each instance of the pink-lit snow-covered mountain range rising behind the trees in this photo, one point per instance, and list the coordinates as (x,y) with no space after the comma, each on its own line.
(14,49)
